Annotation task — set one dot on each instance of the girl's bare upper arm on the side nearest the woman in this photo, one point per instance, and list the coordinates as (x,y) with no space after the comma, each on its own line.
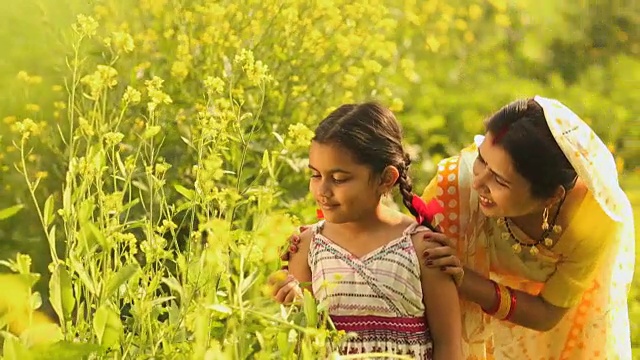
(440,297)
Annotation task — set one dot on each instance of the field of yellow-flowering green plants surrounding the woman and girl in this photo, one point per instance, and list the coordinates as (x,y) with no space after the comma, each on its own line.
(153,152)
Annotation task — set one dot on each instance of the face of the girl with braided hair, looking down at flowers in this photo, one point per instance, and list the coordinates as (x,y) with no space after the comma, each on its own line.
(345,190)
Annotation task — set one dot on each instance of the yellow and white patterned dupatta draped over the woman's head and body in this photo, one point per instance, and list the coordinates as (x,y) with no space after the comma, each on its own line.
(598,326)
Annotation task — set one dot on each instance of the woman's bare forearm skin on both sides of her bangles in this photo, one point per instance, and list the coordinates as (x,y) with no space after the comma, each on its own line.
(532,312)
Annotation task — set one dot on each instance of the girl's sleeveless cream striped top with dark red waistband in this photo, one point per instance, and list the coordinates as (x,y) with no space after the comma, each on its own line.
(378,296)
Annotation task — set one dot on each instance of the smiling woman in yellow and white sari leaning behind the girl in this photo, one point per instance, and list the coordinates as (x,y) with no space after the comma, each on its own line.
(538,236)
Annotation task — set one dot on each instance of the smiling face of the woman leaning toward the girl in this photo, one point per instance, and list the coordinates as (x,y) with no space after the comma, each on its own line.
(502,190)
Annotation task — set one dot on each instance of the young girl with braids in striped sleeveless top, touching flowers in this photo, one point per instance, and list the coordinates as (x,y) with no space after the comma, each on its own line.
(382,293)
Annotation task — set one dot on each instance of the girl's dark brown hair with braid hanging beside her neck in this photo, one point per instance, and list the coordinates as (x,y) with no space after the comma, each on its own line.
(371,133)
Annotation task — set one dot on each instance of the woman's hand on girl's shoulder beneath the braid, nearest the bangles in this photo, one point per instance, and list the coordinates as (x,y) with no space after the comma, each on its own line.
(441,253)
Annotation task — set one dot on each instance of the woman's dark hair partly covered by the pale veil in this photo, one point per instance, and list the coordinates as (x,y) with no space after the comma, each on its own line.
(521,129)
